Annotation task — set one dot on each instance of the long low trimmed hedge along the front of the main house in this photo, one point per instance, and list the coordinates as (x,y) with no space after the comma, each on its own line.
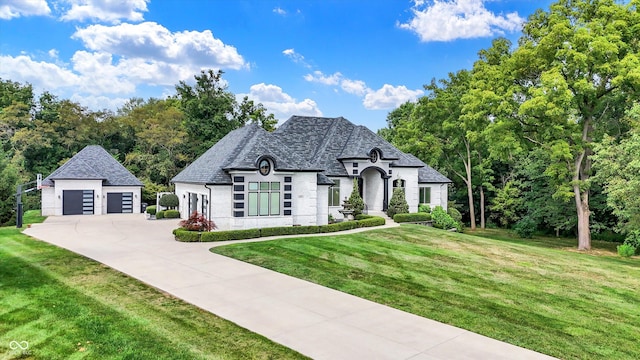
(194,236)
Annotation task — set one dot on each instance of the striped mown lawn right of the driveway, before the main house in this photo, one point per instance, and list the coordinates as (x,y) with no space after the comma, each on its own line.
(539,294)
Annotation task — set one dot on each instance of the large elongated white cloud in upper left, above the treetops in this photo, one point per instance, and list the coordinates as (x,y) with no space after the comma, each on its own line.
(154,42)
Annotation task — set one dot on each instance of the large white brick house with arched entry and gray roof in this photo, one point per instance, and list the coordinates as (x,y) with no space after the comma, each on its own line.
(300,174)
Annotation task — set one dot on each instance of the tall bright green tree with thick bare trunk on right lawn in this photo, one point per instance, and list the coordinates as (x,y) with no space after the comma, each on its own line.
(577,69)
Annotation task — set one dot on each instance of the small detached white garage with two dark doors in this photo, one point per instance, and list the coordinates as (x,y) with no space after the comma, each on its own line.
(92,182)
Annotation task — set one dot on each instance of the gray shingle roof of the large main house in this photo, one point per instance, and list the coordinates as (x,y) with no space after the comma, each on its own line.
(302,143)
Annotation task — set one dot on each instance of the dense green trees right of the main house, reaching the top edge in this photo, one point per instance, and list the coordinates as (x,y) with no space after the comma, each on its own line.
(542,136)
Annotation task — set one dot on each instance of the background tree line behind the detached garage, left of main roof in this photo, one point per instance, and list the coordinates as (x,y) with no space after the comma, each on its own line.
(153,138)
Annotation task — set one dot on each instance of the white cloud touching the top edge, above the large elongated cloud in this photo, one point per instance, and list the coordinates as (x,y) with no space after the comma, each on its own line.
(105,10)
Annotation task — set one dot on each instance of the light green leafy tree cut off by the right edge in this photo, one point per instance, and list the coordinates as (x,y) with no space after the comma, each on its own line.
(618,168)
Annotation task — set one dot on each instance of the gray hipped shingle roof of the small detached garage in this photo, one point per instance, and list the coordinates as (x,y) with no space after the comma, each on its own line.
(93,163)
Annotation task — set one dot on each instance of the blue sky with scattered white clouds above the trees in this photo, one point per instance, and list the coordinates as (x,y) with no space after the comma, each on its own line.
(351,58)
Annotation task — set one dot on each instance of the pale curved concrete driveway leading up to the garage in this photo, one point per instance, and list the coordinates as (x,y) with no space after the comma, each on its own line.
(316,321)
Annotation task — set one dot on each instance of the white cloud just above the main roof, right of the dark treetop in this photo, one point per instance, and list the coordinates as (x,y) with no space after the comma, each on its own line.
(281,104)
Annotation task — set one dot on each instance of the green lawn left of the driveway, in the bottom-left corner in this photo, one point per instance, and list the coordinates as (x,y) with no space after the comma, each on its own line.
(65,306)
